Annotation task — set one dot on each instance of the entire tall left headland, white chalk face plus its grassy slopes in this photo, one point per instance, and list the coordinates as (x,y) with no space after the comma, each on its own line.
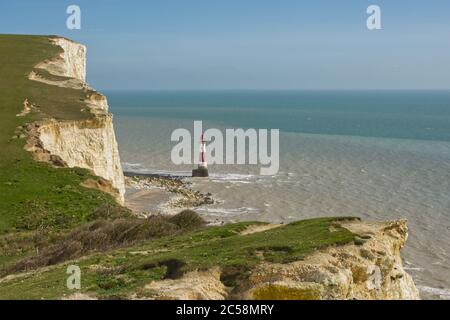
(48,113)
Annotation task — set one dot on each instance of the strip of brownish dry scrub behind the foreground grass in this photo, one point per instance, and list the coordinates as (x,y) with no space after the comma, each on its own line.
(103,235)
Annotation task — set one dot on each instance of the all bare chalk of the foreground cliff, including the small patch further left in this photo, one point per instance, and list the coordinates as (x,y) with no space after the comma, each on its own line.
(370,268)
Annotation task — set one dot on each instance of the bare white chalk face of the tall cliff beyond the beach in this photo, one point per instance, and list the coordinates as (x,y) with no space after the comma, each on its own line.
(90,143)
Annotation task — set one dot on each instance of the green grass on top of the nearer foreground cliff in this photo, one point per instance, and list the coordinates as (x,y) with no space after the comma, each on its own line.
(126,271)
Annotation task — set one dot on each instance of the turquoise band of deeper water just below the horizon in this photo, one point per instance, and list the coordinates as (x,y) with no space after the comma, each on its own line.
(388,114)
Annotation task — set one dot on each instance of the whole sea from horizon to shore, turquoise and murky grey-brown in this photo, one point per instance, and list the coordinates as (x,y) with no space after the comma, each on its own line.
(378,155)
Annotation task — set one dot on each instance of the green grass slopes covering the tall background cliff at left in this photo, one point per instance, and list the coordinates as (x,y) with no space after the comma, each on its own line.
(35,195)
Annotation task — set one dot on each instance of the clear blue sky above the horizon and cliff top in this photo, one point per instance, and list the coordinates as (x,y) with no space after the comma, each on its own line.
(250,44)
